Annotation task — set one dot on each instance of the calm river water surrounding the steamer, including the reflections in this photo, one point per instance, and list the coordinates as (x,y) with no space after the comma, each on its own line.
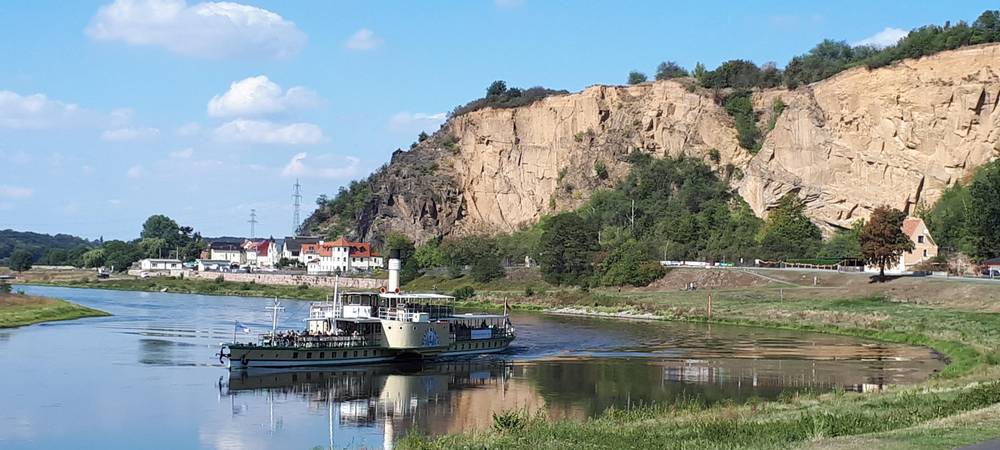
(147,377)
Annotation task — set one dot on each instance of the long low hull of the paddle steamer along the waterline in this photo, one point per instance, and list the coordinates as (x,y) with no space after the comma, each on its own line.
(250,356)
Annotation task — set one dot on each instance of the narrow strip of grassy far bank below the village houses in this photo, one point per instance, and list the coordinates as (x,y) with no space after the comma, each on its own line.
(196,286)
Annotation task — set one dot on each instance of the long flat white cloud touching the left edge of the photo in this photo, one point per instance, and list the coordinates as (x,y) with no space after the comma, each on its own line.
(36,112)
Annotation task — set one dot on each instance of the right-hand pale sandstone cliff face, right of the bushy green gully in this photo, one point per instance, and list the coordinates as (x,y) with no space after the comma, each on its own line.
(897,136)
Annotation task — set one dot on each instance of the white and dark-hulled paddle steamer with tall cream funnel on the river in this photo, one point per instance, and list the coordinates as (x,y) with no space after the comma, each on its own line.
(369,327)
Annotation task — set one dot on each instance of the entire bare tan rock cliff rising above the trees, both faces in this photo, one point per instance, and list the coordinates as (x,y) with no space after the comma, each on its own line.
(897,135)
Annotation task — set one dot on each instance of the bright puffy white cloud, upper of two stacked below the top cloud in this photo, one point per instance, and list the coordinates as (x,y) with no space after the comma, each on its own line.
(259,95)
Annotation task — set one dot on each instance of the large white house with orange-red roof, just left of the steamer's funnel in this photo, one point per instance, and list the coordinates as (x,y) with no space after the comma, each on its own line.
(339,256)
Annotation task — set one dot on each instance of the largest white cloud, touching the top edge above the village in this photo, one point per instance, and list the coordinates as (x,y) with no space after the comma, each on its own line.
(207,30)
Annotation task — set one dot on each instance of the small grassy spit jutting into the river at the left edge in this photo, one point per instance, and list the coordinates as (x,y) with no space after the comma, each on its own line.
(18,310)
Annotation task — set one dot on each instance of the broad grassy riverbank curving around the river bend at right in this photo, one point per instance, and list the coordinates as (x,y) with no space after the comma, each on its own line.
(958,406)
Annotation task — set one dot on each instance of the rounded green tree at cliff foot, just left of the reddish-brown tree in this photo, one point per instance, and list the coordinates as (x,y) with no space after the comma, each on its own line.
(788,233)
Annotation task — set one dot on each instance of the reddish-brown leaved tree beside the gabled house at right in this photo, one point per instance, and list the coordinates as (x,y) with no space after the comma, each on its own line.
(883,240)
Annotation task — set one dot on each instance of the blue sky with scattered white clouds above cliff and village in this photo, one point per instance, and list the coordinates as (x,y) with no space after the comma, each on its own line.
(111,111)
